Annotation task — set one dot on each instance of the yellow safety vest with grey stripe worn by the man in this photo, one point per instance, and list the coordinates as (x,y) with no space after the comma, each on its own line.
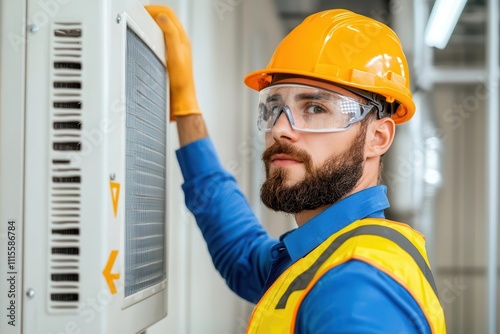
(393,248)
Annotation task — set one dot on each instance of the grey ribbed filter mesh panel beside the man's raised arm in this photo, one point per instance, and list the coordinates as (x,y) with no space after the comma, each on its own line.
(145,175)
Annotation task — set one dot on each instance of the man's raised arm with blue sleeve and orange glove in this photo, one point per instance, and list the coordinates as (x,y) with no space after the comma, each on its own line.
(238,244)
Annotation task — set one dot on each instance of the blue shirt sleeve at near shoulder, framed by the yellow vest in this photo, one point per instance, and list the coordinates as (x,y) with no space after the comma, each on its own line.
(355,298)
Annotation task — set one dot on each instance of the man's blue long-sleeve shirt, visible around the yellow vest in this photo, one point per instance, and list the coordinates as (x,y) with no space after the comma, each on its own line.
(354,297)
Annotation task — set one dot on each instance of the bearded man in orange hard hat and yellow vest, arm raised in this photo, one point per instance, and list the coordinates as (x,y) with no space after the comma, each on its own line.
(328,104)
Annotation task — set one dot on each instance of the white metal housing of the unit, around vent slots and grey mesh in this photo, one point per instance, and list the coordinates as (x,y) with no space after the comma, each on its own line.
(98,309)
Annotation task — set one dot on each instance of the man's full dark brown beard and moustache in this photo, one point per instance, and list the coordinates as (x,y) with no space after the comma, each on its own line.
(321,186)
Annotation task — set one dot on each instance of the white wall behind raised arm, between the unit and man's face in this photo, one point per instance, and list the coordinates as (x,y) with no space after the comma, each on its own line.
(226,45)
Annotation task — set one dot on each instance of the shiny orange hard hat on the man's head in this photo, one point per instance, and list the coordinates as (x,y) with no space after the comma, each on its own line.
(344,48)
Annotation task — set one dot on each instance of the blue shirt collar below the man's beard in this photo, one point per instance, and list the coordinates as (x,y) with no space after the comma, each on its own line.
(369,202)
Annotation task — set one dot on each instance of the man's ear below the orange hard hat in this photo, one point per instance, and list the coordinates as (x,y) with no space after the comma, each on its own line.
(379,136)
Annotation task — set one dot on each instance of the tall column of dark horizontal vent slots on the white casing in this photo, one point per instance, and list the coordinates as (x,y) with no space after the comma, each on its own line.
(65,181)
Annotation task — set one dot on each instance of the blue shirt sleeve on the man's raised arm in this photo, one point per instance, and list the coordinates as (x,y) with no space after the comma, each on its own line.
(237,242)
